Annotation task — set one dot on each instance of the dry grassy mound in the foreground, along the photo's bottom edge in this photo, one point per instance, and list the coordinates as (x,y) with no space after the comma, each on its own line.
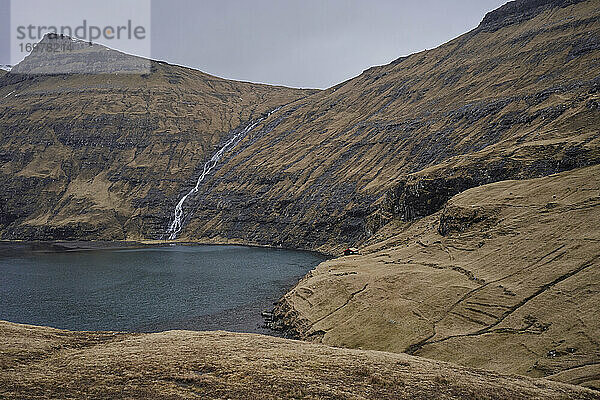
(48,363)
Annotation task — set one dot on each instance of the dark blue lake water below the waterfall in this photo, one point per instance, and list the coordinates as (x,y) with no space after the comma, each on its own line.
(180,287)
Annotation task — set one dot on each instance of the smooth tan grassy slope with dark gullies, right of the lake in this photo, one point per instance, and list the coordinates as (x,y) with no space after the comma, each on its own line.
(506,277)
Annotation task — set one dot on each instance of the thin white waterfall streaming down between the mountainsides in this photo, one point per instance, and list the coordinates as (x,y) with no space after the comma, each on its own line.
(177,223)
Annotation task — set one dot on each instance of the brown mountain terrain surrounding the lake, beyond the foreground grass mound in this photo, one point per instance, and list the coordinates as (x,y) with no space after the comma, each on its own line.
(466,174)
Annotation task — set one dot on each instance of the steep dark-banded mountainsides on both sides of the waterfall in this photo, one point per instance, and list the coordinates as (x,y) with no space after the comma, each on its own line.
(112,154)
